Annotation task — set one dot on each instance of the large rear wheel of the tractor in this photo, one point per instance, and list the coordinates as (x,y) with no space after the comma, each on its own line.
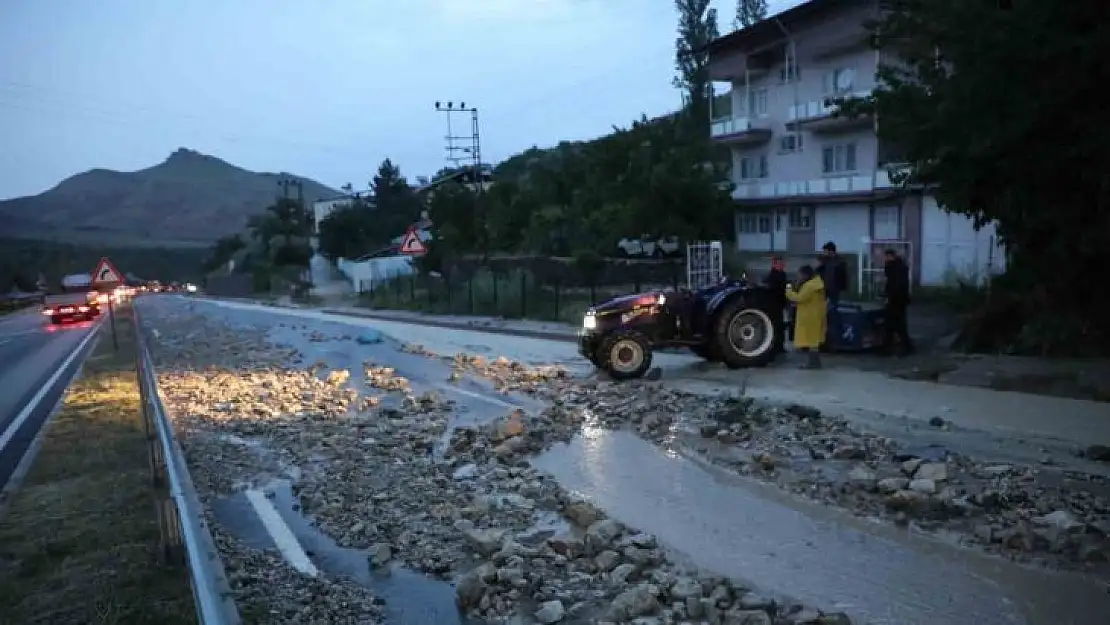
(744,332)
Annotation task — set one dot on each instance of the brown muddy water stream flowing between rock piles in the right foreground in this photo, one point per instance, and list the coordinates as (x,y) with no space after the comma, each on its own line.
(879,574)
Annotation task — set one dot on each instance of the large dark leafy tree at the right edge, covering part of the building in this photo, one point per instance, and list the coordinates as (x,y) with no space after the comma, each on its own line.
(1011,133)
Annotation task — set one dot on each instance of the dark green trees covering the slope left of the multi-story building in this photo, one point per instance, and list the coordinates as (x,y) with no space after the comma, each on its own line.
(657,177)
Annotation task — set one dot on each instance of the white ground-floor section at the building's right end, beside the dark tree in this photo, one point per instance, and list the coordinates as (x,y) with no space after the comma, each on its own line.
(954,251)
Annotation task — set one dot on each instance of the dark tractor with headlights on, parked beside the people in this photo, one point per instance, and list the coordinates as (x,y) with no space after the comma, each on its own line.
(731,322)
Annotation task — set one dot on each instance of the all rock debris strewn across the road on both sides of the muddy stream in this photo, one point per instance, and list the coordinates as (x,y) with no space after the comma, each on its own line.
(385,469)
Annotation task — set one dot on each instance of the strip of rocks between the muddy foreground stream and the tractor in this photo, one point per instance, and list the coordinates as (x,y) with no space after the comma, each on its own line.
(1027,513)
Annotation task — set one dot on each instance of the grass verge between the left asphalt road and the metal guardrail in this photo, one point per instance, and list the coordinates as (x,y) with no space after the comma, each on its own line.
(79,542)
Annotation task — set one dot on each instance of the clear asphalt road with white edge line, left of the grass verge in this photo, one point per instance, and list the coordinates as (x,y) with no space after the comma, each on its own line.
(37,364)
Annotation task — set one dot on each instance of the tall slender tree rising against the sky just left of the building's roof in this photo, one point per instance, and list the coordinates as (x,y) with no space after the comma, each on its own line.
(698,27)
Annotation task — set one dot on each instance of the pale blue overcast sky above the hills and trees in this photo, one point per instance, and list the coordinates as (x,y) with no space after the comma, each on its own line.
(320,88)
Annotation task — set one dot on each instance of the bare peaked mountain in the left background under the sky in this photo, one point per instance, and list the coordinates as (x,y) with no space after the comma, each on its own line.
(187,200)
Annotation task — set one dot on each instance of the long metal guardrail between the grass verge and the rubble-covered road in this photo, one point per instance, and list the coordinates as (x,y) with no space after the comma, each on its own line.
(186,538)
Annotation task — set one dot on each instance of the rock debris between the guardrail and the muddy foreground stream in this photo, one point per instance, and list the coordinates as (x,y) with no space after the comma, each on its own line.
(374,467)
